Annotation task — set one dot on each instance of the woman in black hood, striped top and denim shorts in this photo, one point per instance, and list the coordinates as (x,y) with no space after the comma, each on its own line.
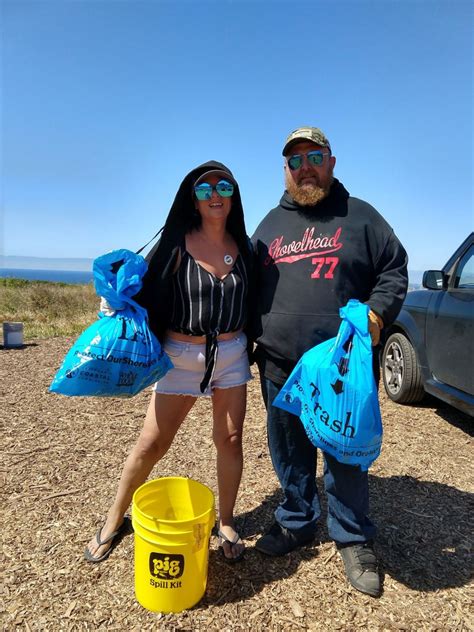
(196,291)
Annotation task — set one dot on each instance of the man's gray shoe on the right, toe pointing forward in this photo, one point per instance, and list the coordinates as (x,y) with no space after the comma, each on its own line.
(361,567)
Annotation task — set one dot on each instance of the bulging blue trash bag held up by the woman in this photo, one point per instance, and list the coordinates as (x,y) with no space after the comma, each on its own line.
(117,356)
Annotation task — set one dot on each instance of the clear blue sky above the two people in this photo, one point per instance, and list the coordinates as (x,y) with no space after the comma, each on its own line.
(106,105)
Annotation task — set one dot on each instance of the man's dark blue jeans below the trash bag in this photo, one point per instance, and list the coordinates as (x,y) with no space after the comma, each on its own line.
(294,461)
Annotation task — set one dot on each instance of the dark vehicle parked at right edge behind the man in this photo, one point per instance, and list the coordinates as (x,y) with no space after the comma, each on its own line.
(430,347)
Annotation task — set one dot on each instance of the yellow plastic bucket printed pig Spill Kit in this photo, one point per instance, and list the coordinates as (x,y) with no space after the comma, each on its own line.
(172,519)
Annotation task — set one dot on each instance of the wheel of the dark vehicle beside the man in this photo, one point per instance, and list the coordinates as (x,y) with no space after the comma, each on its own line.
(400,370)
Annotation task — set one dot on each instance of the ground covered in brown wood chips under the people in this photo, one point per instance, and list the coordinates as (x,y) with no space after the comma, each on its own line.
(62,460)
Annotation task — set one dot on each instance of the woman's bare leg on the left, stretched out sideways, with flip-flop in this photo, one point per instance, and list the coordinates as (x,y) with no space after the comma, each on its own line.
(164,416)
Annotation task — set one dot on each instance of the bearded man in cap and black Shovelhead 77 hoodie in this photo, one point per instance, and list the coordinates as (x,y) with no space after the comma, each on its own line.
(316,250)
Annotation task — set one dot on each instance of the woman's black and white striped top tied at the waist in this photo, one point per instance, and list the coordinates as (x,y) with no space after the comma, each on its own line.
(204,304)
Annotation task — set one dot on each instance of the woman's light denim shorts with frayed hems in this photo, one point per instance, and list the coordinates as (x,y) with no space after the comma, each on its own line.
(231,368)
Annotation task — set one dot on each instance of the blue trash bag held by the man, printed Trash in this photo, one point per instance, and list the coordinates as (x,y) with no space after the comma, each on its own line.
(333,391)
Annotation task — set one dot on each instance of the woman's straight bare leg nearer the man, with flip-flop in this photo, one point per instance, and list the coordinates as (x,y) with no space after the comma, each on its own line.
(229,406)
